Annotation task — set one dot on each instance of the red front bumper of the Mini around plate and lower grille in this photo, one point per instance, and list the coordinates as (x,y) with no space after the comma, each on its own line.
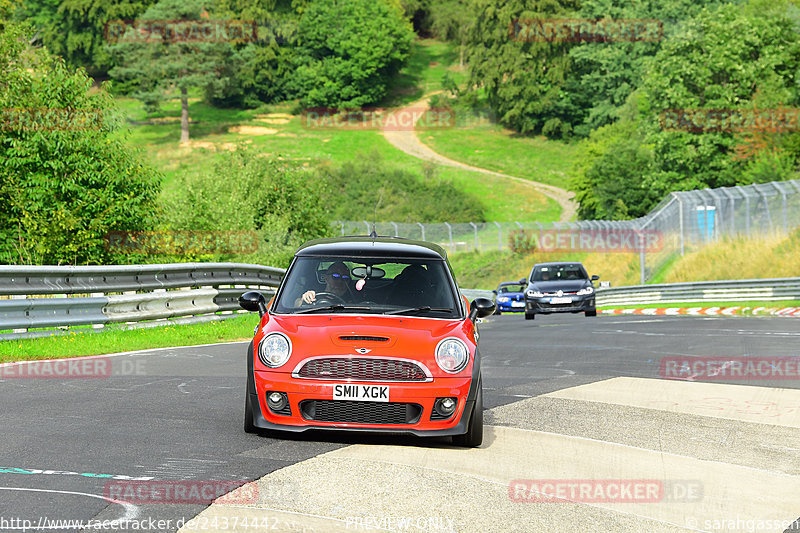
(415,393)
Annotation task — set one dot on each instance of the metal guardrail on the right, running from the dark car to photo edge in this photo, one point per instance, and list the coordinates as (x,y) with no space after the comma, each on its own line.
(774,289)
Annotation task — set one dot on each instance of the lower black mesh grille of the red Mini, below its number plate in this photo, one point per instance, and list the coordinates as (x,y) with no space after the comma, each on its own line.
(360,412)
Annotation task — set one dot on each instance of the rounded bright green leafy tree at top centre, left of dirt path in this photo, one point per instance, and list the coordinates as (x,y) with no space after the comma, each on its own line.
(347,51)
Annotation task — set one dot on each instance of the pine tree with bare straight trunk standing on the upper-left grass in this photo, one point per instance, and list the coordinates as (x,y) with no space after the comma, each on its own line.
(163,60)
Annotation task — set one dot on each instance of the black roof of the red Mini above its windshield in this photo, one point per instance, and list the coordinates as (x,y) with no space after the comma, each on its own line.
(366,246)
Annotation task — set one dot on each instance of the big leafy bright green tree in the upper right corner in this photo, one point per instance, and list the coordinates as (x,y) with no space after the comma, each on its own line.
(732,59)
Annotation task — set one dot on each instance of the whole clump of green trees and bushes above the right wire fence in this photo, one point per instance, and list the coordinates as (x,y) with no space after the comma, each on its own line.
(724,59)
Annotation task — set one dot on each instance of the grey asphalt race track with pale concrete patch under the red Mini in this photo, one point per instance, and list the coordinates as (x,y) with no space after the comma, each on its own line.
(567,398)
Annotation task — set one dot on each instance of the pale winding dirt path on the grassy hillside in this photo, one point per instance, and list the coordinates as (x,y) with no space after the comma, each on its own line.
(407,141)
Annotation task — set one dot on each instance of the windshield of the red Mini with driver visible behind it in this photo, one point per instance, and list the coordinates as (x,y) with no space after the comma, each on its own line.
(418,287)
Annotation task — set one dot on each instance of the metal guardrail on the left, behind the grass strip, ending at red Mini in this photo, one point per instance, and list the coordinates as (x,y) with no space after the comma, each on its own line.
(53,296)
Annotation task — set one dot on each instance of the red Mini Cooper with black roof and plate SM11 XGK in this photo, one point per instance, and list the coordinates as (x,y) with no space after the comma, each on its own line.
(367,334)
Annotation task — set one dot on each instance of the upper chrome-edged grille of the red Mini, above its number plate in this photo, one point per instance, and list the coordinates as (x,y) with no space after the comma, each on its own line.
(362,369)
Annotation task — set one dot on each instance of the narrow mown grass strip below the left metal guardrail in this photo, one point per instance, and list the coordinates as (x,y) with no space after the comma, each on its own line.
(114,339)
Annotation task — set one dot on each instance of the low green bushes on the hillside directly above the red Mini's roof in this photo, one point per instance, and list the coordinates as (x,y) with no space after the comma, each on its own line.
(399,195)
